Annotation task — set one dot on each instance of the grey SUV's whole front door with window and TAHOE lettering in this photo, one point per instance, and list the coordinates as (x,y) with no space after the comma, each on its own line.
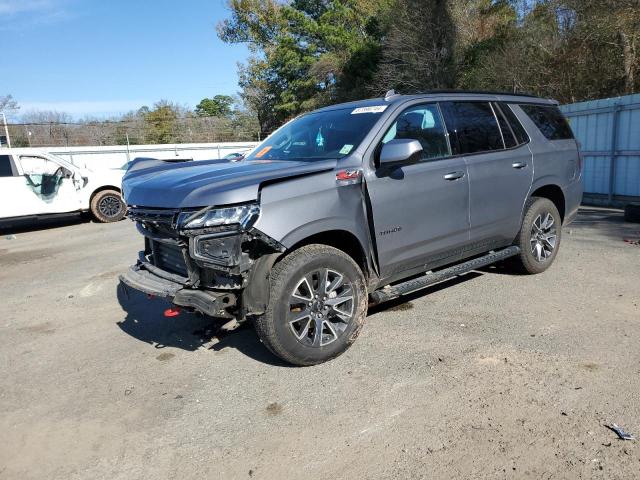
(420,209)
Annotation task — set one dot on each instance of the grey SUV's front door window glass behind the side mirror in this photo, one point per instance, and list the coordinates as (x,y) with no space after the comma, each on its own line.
(422,123)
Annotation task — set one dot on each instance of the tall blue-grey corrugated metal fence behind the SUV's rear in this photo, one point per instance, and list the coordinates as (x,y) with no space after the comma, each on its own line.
(609,134)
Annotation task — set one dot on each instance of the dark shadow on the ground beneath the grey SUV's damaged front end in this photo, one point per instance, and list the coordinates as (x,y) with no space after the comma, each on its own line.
(145,321)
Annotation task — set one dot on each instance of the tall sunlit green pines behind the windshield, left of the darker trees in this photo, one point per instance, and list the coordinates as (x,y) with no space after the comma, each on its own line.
(304,53)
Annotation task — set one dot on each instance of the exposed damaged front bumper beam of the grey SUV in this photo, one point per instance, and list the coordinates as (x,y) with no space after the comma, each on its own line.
(146,278)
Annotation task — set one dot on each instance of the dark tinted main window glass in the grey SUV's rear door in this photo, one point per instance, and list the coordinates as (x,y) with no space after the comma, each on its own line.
(472,126)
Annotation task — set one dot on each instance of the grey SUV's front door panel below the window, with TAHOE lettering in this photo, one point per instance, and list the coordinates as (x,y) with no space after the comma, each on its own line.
(418,214)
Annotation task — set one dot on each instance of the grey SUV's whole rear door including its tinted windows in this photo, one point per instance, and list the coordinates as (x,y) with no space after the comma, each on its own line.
(500,169)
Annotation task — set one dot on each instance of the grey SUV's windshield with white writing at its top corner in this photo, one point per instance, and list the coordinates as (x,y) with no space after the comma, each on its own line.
(321,135)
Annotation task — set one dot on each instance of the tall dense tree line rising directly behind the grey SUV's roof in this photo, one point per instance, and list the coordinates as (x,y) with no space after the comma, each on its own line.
(310,53)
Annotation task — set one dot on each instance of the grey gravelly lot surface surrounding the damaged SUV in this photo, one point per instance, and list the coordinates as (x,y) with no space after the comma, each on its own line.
(488,376)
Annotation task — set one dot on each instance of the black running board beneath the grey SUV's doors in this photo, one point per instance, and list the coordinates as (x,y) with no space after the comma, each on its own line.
(394,291)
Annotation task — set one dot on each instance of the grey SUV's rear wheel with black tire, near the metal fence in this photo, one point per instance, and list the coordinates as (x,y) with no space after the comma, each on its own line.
(538,247)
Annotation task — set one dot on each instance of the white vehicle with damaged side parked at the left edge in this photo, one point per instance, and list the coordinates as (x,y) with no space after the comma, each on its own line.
(35,184)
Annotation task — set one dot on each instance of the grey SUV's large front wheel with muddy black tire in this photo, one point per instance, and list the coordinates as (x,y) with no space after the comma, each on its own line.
(298,341)
